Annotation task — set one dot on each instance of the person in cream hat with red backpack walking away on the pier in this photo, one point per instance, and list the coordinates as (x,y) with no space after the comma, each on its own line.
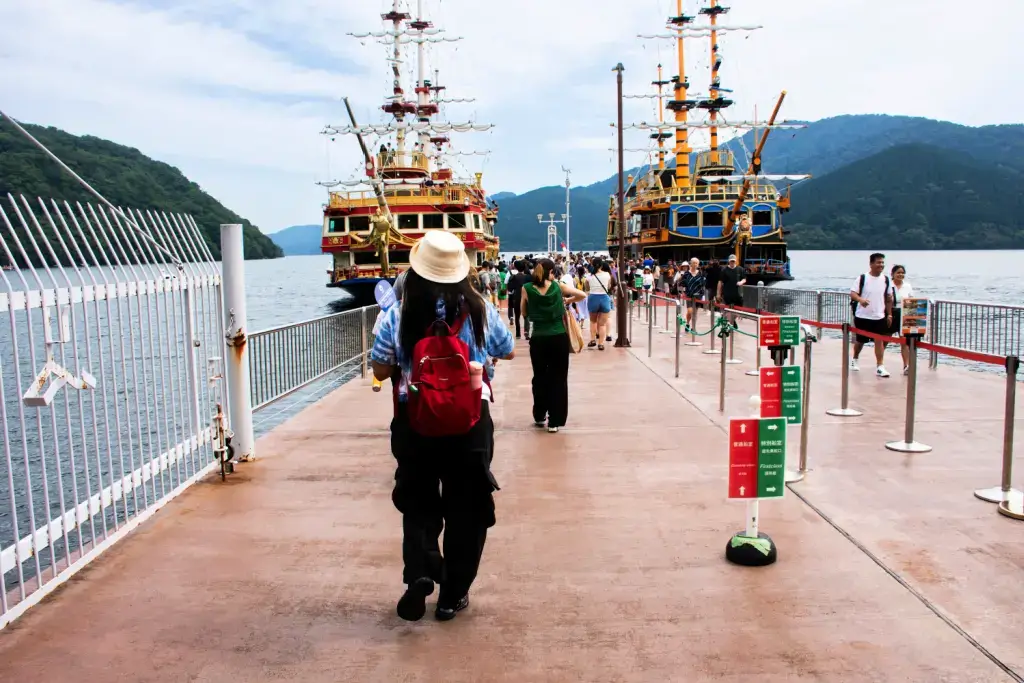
(439,438)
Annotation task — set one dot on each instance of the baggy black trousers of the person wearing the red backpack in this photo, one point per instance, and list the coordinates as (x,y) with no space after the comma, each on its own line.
(444,484)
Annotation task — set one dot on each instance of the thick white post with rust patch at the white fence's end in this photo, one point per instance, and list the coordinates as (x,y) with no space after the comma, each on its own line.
(240,410)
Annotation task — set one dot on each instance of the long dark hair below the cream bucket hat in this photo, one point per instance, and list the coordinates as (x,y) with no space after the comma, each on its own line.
(419,309)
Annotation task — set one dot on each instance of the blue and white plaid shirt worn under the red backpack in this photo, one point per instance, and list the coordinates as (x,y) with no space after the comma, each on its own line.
(388,348)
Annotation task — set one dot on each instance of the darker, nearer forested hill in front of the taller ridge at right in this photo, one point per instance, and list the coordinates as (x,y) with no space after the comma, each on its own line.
(911,197)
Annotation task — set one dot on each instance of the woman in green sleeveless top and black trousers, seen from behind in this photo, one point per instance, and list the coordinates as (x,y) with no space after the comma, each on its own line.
(544,302)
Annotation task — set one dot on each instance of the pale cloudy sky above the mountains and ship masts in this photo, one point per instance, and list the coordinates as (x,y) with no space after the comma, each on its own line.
(235,93)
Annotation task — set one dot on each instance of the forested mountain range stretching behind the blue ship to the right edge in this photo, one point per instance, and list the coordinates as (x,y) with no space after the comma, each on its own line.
(877,197)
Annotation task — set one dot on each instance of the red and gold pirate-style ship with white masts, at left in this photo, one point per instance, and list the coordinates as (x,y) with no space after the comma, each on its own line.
(409,187)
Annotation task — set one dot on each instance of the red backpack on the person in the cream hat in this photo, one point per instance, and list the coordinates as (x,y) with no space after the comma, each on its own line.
(442,400)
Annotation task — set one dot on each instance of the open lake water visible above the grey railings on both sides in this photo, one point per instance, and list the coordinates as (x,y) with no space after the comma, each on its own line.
(292,289)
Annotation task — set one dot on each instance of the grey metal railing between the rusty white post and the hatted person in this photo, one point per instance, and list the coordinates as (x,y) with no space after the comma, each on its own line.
(288,358)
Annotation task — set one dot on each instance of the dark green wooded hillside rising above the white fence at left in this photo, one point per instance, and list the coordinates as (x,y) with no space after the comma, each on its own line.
(123,176)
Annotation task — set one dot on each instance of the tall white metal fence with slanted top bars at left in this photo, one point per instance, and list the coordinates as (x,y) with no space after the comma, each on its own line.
(110,361)
